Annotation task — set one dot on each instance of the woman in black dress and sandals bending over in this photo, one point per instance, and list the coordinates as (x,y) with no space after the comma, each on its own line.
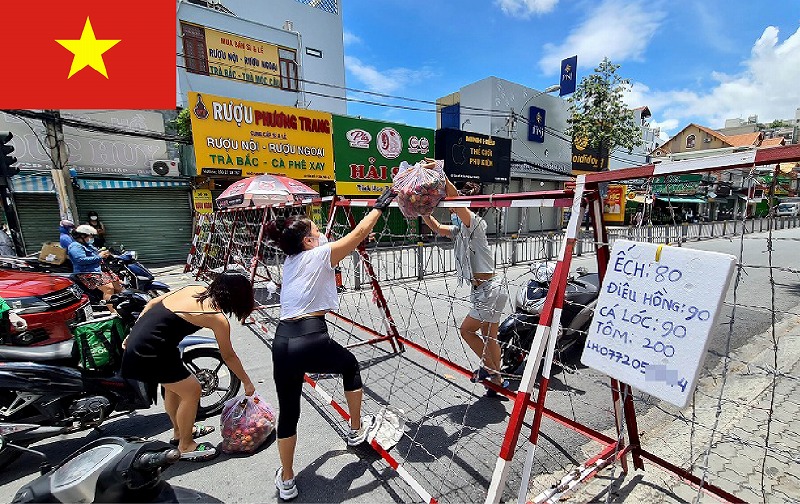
(152,354)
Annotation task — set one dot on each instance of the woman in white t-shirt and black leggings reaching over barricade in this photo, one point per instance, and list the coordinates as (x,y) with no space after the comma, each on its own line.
(302,344)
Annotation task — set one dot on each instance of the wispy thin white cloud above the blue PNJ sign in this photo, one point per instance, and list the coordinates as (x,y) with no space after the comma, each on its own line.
(617,29)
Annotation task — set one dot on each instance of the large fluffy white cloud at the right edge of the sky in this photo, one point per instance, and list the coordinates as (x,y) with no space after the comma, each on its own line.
(767,87)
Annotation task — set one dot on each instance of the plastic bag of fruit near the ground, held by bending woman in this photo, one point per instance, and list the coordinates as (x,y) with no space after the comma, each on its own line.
(246,422)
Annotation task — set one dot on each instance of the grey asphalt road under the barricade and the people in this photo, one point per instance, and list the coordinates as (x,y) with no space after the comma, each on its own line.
(454,431)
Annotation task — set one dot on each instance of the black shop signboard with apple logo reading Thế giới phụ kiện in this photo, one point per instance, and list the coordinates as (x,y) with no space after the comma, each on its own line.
(474,157)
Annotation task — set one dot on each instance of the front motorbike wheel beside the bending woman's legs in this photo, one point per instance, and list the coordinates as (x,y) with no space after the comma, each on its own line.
(217,382)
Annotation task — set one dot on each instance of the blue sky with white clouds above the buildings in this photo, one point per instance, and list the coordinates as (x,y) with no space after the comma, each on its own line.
(688,61)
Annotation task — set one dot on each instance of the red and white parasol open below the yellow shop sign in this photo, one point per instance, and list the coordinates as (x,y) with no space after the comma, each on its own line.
(264,190)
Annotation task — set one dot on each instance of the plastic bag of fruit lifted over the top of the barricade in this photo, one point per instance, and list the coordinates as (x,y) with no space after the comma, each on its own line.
(419,189)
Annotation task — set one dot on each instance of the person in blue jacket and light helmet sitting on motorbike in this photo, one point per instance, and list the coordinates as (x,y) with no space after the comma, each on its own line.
(87,264)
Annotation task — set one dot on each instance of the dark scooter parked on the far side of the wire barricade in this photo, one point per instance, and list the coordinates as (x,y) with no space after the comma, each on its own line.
(516,332)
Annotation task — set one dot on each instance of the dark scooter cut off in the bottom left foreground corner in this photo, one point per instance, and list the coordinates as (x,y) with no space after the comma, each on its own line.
(109,469)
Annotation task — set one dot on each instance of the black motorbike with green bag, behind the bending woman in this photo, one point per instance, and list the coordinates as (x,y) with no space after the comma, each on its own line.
(43,392)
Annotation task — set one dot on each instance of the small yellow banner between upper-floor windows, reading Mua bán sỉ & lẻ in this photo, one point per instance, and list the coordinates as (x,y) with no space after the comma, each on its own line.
(242,59)
